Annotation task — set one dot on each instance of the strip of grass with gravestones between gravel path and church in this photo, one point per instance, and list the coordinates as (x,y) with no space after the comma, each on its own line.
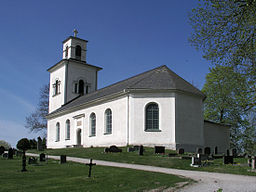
(149,158)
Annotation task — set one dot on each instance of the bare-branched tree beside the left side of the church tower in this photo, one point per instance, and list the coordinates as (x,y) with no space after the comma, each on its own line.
(36,121)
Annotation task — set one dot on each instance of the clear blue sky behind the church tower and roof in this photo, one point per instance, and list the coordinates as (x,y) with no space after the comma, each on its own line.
(126,37)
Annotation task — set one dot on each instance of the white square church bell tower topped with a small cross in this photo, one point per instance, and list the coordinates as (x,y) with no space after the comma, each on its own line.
(72,76)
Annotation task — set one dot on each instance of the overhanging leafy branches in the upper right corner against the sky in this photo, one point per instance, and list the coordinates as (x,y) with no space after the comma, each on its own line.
(226,32)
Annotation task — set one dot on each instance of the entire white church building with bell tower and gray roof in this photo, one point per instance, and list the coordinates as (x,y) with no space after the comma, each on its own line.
(154,108)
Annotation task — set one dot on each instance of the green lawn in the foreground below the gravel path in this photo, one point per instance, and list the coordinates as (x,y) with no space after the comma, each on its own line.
(52,176)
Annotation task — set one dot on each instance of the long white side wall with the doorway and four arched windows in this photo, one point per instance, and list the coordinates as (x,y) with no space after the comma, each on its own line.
(119,123)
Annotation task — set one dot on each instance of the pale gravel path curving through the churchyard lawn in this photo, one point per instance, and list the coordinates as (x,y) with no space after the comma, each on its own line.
(207,181)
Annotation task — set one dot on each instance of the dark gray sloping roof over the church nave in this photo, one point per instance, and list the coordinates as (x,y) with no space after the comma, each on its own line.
(160,78)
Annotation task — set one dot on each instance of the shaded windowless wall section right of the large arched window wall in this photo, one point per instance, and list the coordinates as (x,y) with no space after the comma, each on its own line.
(189,122)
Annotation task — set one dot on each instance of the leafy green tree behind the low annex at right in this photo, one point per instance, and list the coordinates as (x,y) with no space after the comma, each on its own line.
(227,102)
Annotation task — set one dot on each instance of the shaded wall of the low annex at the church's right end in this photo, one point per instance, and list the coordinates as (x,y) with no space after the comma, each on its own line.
(216,135)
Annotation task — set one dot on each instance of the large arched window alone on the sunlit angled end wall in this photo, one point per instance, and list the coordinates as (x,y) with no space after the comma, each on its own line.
(152,117)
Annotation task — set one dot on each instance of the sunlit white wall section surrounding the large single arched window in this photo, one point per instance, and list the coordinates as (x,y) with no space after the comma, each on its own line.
(137,133)
